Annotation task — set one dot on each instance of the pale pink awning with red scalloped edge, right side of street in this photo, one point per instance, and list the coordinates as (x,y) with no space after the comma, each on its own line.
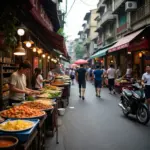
(124,42)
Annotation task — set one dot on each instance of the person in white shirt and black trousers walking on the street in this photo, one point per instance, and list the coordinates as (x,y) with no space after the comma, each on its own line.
(111,78)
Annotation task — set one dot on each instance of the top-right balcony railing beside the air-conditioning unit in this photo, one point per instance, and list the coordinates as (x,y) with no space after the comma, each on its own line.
(140,13)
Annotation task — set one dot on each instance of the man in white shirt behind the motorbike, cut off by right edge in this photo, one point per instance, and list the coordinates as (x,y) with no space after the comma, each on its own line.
(146,82)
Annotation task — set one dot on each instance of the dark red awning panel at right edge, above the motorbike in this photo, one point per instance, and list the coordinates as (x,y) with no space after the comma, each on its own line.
(143,44)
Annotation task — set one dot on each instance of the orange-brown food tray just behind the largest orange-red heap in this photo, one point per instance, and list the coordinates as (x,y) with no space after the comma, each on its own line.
(37,105)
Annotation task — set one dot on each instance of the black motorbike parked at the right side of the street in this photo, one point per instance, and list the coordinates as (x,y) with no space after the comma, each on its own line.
(133,102)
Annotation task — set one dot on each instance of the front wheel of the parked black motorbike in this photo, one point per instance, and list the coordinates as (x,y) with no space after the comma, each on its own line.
(143,114)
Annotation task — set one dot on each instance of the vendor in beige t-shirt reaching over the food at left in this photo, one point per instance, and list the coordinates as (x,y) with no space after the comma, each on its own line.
(18,87)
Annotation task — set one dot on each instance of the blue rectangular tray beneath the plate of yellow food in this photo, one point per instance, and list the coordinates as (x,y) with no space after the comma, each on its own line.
(24,135)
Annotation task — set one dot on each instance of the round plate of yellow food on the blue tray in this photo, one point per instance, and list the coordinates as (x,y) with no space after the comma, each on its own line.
(16,125)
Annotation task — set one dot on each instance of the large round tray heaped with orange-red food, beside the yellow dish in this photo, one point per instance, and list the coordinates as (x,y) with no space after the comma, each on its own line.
(22,112)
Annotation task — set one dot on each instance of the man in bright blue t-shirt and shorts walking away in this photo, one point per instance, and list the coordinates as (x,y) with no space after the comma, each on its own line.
(98,80)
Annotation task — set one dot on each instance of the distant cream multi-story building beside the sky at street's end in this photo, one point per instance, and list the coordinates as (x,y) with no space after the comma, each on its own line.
(89,31)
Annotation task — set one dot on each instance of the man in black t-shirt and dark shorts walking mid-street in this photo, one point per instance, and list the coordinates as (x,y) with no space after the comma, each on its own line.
(81,76)
